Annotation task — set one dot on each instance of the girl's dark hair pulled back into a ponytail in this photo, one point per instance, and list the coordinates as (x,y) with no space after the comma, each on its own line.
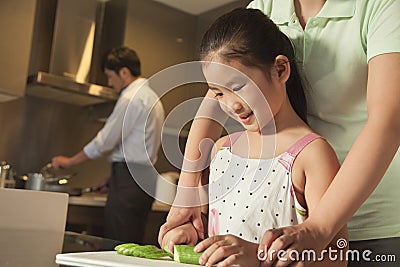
(251,37)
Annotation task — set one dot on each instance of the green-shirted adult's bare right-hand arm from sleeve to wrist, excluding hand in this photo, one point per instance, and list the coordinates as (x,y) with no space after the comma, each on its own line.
(375,146)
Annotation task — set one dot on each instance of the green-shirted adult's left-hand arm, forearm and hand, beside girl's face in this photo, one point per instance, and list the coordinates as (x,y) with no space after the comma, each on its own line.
(187,201)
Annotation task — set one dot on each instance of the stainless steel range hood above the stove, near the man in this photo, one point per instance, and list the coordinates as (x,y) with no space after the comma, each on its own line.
(80,38)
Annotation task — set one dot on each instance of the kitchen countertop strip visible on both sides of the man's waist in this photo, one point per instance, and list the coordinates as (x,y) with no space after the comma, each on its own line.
(99,200)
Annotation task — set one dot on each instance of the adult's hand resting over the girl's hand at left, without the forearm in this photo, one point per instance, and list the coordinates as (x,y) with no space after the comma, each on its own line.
(178,216)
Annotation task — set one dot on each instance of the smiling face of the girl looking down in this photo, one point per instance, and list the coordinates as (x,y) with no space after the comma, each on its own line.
(246,94)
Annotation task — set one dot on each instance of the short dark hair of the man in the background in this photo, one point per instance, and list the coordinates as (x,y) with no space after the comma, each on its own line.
(121,57)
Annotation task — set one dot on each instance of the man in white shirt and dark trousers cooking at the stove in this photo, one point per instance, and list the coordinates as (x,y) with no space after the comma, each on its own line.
(133,135)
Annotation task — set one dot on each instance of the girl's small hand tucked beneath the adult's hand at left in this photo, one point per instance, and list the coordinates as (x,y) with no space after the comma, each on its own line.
(185,234)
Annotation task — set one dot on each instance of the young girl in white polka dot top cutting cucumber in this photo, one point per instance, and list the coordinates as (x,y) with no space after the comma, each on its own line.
(249,62)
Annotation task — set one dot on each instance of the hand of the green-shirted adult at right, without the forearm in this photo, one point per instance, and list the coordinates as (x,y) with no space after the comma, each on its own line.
(279,243)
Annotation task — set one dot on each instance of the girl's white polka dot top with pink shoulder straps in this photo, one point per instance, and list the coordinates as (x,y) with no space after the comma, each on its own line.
(249,196)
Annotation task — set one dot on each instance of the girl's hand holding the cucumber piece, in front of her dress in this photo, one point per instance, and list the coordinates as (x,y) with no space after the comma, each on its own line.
(228,250)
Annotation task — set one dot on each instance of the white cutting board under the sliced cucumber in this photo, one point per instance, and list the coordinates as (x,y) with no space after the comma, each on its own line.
(112,259)
